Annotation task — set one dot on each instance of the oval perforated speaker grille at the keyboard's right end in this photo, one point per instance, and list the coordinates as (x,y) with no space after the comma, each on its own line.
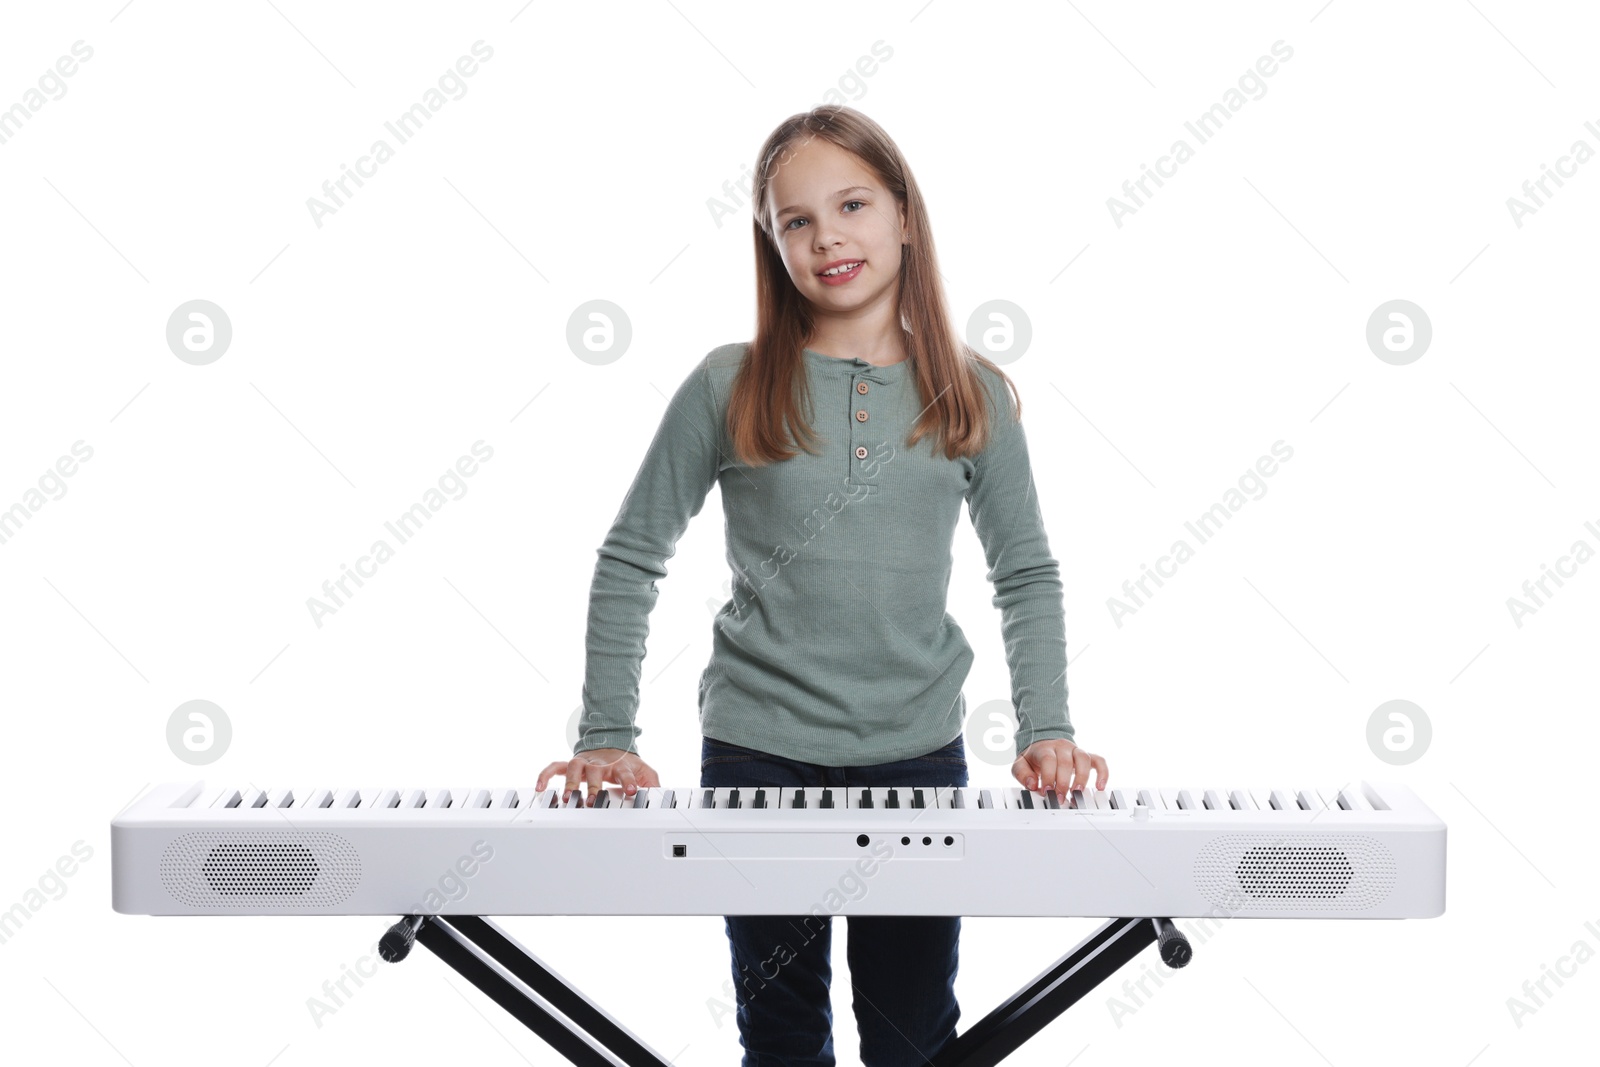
(1334,873)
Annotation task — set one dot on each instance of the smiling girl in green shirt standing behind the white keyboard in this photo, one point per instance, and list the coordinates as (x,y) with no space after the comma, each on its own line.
(846,439)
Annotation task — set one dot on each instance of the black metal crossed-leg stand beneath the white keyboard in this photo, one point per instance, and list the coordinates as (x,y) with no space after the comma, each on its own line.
(519,983)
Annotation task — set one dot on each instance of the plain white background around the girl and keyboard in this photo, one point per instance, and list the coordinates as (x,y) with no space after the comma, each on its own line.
(1167,356)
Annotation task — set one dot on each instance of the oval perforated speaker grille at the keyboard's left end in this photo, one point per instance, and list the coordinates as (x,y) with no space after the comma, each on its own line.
(239,869)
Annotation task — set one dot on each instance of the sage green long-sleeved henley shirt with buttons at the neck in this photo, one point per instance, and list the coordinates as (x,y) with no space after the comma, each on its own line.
(836,647)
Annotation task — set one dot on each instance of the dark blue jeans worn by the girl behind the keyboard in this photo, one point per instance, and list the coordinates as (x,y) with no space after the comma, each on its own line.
(902,967)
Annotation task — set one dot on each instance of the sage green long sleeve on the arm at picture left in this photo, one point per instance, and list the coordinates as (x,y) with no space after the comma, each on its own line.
(670,489)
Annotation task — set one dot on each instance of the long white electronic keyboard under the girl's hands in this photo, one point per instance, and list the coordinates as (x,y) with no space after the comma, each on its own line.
(1362,852)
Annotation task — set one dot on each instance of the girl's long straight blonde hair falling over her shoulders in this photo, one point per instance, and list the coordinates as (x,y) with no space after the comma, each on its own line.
(772,386)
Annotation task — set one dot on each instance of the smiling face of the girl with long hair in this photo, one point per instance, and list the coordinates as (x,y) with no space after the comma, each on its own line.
(831,212)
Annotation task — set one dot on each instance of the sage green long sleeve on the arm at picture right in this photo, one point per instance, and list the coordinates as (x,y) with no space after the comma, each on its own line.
(1006,514)
